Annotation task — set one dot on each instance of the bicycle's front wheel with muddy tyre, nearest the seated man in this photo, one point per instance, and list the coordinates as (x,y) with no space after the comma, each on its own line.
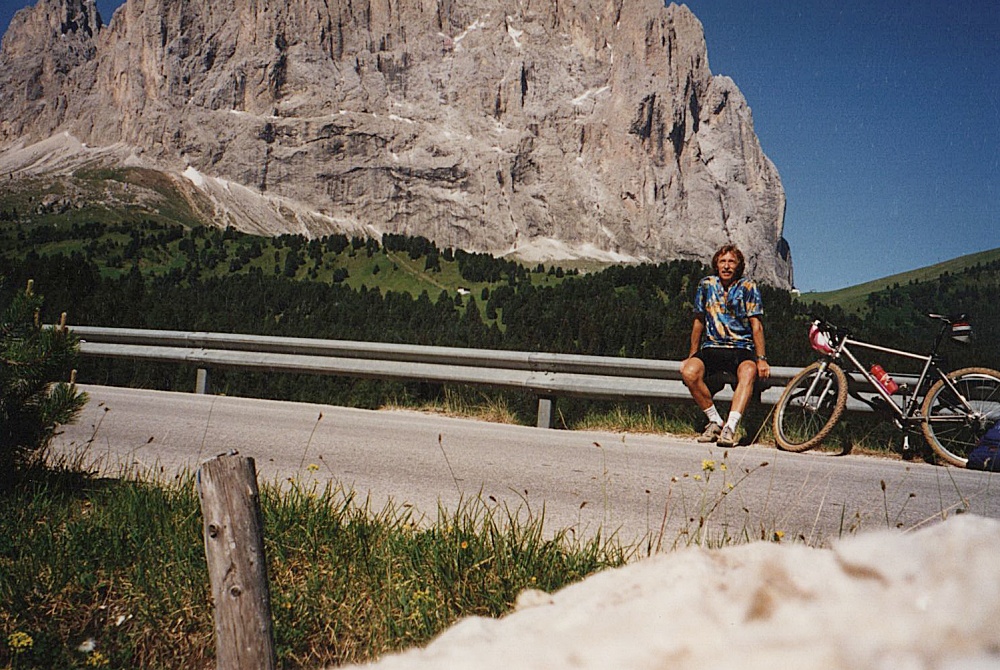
(810,407)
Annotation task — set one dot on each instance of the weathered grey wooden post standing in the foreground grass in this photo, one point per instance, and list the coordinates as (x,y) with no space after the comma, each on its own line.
(234,547)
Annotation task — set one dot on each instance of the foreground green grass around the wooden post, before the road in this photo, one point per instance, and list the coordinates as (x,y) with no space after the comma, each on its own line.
(111,572)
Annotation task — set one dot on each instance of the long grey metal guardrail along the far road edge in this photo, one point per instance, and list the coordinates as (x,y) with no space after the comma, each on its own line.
(547,375)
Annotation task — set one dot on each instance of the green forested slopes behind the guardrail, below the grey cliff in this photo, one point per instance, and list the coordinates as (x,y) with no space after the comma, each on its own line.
(153,274)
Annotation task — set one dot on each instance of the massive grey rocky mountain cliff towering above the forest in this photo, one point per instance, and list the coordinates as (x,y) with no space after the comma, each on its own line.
(544,129)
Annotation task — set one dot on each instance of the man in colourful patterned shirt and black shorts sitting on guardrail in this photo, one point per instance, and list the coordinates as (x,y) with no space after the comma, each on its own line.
(727,335)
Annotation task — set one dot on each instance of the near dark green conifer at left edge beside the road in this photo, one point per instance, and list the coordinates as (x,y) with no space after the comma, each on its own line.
(37,393)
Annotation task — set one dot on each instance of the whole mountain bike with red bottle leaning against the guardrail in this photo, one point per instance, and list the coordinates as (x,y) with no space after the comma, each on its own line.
(953,409)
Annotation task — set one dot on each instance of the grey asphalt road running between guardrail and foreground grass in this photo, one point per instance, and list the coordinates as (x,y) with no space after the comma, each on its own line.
(638,486)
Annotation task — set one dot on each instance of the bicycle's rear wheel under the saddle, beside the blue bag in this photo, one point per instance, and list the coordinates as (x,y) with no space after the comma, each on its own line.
(953,427)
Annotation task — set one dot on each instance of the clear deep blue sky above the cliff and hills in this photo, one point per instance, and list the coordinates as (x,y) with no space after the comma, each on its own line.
(882,117)
